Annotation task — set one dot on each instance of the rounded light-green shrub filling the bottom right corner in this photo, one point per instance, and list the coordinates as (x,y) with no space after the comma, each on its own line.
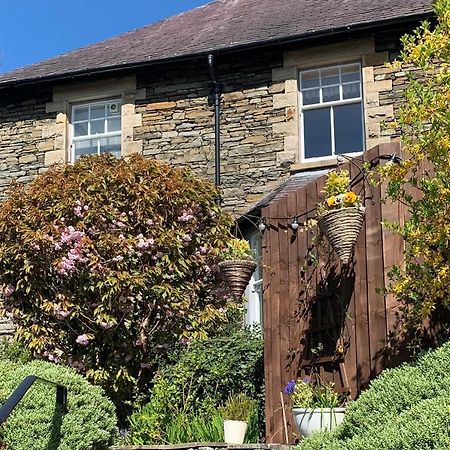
(406,408)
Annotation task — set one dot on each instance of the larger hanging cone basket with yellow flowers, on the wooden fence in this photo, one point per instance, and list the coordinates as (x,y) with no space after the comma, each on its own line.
(341,216)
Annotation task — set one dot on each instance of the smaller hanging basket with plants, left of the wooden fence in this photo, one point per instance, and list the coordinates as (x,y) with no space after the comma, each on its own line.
(237,266)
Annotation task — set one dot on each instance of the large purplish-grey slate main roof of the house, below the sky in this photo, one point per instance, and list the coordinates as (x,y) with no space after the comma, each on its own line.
(222,24)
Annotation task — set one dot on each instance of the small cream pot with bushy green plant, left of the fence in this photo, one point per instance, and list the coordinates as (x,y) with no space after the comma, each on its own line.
(236,413)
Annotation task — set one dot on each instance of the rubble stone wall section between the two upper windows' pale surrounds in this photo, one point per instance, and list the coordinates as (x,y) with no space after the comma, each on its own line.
(178,124)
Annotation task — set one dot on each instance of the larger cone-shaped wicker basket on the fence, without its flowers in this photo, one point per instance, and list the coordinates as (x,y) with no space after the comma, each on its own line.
(342,227)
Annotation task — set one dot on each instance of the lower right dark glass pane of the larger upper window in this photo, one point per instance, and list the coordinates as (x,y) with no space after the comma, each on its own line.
(348,128)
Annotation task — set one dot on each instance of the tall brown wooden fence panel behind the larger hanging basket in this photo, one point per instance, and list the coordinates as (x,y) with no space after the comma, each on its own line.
(344,298)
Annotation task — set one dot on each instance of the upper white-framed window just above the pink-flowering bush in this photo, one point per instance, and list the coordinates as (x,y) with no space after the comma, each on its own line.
(96,128)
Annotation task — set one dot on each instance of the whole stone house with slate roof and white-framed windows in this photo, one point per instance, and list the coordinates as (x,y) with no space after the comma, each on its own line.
(299,82)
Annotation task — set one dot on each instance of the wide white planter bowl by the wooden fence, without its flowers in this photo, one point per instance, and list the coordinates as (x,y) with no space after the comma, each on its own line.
(308,420)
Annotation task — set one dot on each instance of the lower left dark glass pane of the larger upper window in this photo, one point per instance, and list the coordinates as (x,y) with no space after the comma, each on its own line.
(317,132)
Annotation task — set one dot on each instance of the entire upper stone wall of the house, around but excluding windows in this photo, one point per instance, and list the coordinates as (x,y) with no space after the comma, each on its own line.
(168,114)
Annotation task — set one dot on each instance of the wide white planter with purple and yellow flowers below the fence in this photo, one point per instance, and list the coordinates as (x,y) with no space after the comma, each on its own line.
(316,406)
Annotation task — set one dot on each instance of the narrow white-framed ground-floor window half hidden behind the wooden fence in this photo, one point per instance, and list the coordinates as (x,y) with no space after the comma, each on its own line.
(253,293)
